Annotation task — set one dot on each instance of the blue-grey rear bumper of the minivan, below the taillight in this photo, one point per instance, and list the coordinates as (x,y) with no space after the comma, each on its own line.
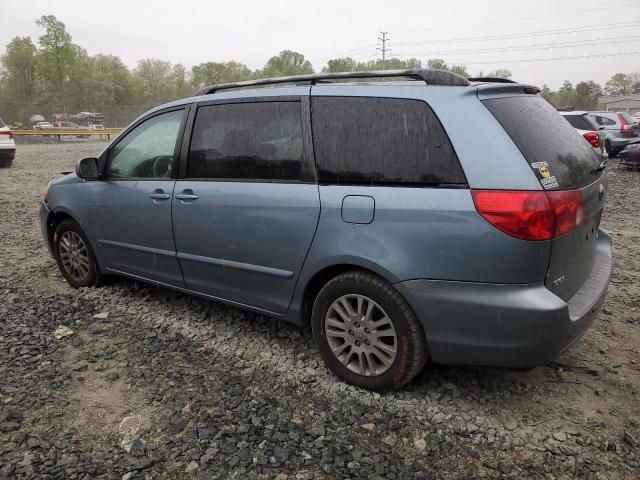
(506,325)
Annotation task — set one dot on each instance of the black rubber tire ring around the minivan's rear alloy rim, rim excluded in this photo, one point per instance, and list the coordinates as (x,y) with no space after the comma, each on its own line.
(411,344)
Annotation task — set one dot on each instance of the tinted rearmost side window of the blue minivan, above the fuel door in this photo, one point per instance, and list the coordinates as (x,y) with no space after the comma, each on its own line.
(381,141)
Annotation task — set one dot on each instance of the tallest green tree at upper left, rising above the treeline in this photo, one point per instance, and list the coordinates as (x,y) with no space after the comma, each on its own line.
(58,57)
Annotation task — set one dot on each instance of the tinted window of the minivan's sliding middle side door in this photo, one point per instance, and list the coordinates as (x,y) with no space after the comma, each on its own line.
(260,141)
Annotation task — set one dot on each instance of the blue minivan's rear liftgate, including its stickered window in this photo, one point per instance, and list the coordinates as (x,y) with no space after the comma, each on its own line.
(561,160)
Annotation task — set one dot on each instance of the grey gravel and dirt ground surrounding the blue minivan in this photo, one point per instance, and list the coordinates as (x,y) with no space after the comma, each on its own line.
(155,384)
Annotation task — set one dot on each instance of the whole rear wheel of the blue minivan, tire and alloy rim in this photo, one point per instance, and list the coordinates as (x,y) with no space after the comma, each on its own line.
(367,333)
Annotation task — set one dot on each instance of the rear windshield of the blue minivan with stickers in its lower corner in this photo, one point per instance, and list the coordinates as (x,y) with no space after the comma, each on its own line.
(560,157)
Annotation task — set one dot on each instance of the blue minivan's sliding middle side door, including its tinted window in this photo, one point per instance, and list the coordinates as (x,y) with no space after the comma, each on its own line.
(246,212)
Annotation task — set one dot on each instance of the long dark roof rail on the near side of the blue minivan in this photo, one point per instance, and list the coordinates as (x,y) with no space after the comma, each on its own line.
(430,77)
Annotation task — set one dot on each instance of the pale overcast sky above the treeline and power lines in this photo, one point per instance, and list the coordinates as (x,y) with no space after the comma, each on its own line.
(249,31)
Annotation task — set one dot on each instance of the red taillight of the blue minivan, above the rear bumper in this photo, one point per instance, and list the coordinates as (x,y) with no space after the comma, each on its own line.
(531,215)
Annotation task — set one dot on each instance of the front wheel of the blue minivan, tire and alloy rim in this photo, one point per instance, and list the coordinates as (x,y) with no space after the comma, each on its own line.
(74,255)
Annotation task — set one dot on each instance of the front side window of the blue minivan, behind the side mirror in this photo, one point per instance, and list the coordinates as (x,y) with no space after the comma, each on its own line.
(148,150)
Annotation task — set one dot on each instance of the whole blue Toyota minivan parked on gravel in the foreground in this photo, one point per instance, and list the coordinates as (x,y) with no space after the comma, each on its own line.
(404,215)
